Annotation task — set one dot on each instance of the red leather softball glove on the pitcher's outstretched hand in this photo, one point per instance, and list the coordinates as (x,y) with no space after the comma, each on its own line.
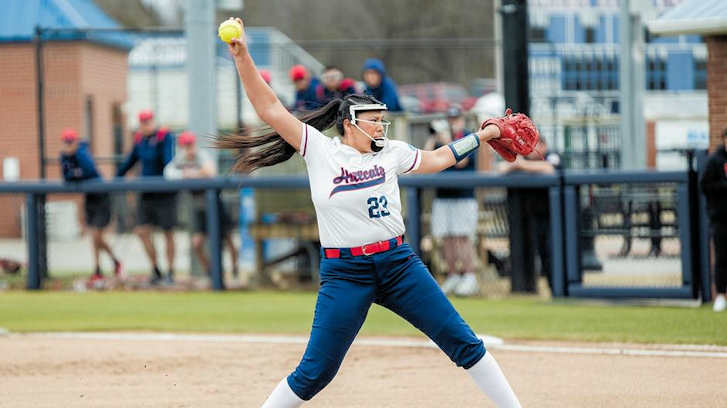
(518,135)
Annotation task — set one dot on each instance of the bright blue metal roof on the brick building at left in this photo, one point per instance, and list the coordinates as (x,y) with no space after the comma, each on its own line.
(65,20)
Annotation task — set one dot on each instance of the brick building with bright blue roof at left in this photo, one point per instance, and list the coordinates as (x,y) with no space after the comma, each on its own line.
(84,88)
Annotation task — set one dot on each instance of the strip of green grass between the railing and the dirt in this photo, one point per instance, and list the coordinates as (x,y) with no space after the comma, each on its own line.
(292,312)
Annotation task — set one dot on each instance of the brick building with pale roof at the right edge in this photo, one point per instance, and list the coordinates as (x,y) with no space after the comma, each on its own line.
(707,18)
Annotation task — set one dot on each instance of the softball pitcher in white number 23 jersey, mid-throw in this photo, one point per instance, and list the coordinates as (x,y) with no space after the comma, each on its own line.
(354,188)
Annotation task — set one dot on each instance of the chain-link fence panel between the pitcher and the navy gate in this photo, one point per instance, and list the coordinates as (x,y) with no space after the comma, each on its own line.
(501,237)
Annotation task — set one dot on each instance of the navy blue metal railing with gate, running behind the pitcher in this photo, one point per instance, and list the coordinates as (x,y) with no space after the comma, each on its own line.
(566,194)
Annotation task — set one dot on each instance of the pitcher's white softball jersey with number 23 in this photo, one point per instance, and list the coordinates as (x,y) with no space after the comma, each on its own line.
(356,195)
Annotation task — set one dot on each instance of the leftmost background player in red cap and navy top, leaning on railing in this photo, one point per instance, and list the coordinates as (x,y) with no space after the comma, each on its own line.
(77,165)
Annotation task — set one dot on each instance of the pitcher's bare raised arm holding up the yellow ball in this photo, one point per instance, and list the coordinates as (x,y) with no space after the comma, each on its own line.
(266,104)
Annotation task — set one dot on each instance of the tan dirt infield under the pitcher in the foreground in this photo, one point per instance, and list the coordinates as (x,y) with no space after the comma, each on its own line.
(49,372)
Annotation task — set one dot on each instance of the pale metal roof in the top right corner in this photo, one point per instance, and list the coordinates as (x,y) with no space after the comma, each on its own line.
(704,17)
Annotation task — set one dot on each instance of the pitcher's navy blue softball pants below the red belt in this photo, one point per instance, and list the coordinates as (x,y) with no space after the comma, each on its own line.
(397,280)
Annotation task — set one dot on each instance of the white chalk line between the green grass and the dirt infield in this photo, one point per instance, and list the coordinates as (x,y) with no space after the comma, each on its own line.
(490,342)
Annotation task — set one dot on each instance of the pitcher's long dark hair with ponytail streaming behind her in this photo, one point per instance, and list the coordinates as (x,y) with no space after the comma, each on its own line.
(275,149)
